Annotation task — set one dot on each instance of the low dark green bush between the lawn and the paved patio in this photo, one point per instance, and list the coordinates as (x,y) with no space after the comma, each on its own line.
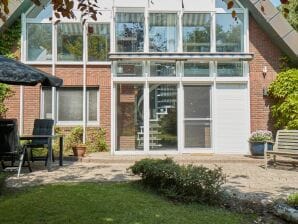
(183,183)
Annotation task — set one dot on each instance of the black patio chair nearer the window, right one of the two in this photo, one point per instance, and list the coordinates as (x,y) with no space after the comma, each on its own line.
(41,127)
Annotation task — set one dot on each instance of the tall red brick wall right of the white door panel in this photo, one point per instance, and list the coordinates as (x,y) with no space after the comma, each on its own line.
(265,54)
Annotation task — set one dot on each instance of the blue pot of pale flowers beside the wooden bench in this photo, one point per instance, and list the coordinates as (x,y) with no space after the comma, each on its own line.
(258,140)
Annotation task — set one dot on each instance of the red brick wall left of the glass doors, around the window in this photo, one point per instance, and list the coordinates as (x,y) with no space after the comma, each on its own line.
(72,75)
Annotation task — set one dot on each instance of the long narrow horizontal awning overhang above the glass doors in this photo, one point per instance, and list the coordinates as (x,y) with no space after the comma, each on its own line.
(228,56)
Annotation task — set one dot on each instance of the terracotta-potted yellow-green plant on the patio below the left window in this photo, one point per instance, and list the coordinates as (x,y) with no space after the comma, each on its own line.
(76,141)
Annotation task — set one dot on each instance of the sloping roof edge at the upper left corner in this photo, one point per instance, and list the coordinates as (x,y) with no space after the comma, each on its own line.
(16,8)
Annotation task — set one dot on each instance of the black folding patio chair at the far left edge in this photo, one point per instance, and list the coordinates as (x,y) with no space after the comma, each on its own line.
(10,148)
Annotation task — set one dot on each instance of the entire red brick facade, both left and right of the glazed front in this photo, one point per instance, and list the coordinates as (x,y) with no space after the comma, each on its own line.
(265,54)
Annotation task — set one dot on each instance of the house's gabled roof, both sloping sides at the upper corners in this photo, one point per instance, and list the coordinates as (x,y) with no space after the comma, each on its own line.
(272,21)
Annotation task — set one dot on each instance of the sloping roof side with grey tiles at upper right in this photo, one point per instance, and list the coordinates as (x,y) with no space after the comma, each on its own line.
(278,28)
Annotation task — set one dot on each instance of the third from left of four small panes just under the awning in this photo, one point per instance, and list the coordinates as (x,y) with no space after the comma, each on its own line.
(196,69)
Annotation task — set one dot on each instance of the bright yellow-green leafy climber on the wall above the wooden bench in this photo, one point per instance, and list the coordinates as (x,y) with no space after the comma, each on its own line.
(284,92)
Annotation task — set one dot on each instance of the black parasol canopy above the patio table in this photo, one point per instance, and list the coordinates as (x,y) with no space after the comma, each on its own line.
(16,73)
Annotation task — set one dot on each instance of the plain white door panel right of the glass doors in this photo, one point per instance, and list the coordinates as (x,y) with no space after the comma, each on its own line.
(232,119)
